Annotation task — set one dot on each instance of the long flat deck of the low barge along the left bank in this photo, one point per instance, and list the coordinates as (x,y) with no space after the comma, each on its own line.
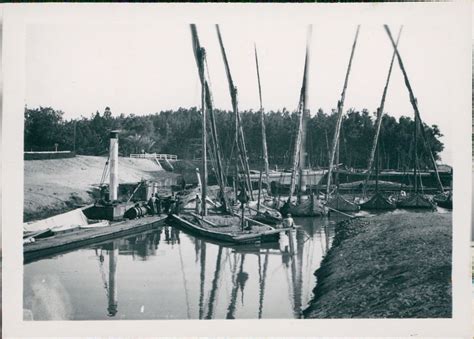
(67,241)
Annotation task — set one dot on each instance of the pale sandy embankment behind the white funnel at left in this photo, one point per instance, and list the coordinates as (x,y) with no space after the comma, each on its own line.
(58,185)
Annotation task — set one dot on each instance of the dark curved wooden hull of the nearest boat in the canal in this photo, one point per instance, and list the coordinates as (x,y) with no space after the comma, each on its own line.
(242,237)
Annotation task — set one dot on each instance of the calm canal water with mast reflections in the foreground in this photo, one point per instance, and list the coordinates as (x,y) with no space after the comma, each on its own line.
(169,274)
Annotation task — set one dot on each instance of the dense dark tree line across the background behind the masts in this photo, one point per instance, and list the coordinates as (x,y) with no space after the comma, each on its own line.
(179,132)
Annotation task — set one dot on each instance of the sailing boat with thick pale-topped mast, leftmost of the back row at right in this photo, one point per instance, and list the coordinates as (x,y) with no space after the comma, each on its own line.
(312,206)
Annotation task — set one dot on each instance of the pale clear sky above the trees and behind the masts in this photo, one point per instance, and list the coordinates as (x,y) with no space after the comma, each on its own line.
(145,68)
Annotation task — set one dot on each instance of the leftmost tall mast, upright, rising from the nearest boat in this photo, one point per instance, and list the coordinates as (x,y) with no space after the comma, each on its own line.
(199,54)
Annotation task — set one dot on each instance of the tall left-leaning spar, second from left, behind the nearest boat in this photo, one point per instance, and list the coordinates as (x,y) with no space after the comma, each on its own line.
(233,94)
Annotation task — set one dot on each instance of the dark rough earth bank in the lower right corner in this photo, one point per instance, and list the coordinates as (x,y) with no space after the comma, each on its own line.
(388,266)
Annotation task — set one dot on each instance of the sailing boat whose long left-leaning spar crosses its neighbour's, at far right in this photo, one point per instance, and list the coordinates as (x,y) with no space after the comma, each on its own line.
(415,199)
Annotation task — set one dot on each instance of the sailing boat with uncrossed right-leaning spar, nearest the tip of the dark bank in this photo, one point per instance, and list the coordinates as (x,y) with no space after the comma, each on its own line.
(338,202)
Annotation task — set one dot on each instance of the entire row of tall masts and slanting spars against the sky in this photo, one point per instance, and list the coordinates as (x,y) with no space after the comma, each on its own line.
(299,152)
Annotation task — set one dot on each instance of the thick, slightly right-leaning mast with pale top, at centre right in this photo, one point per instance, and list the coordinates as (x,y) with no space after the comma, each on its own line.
(301,109)
